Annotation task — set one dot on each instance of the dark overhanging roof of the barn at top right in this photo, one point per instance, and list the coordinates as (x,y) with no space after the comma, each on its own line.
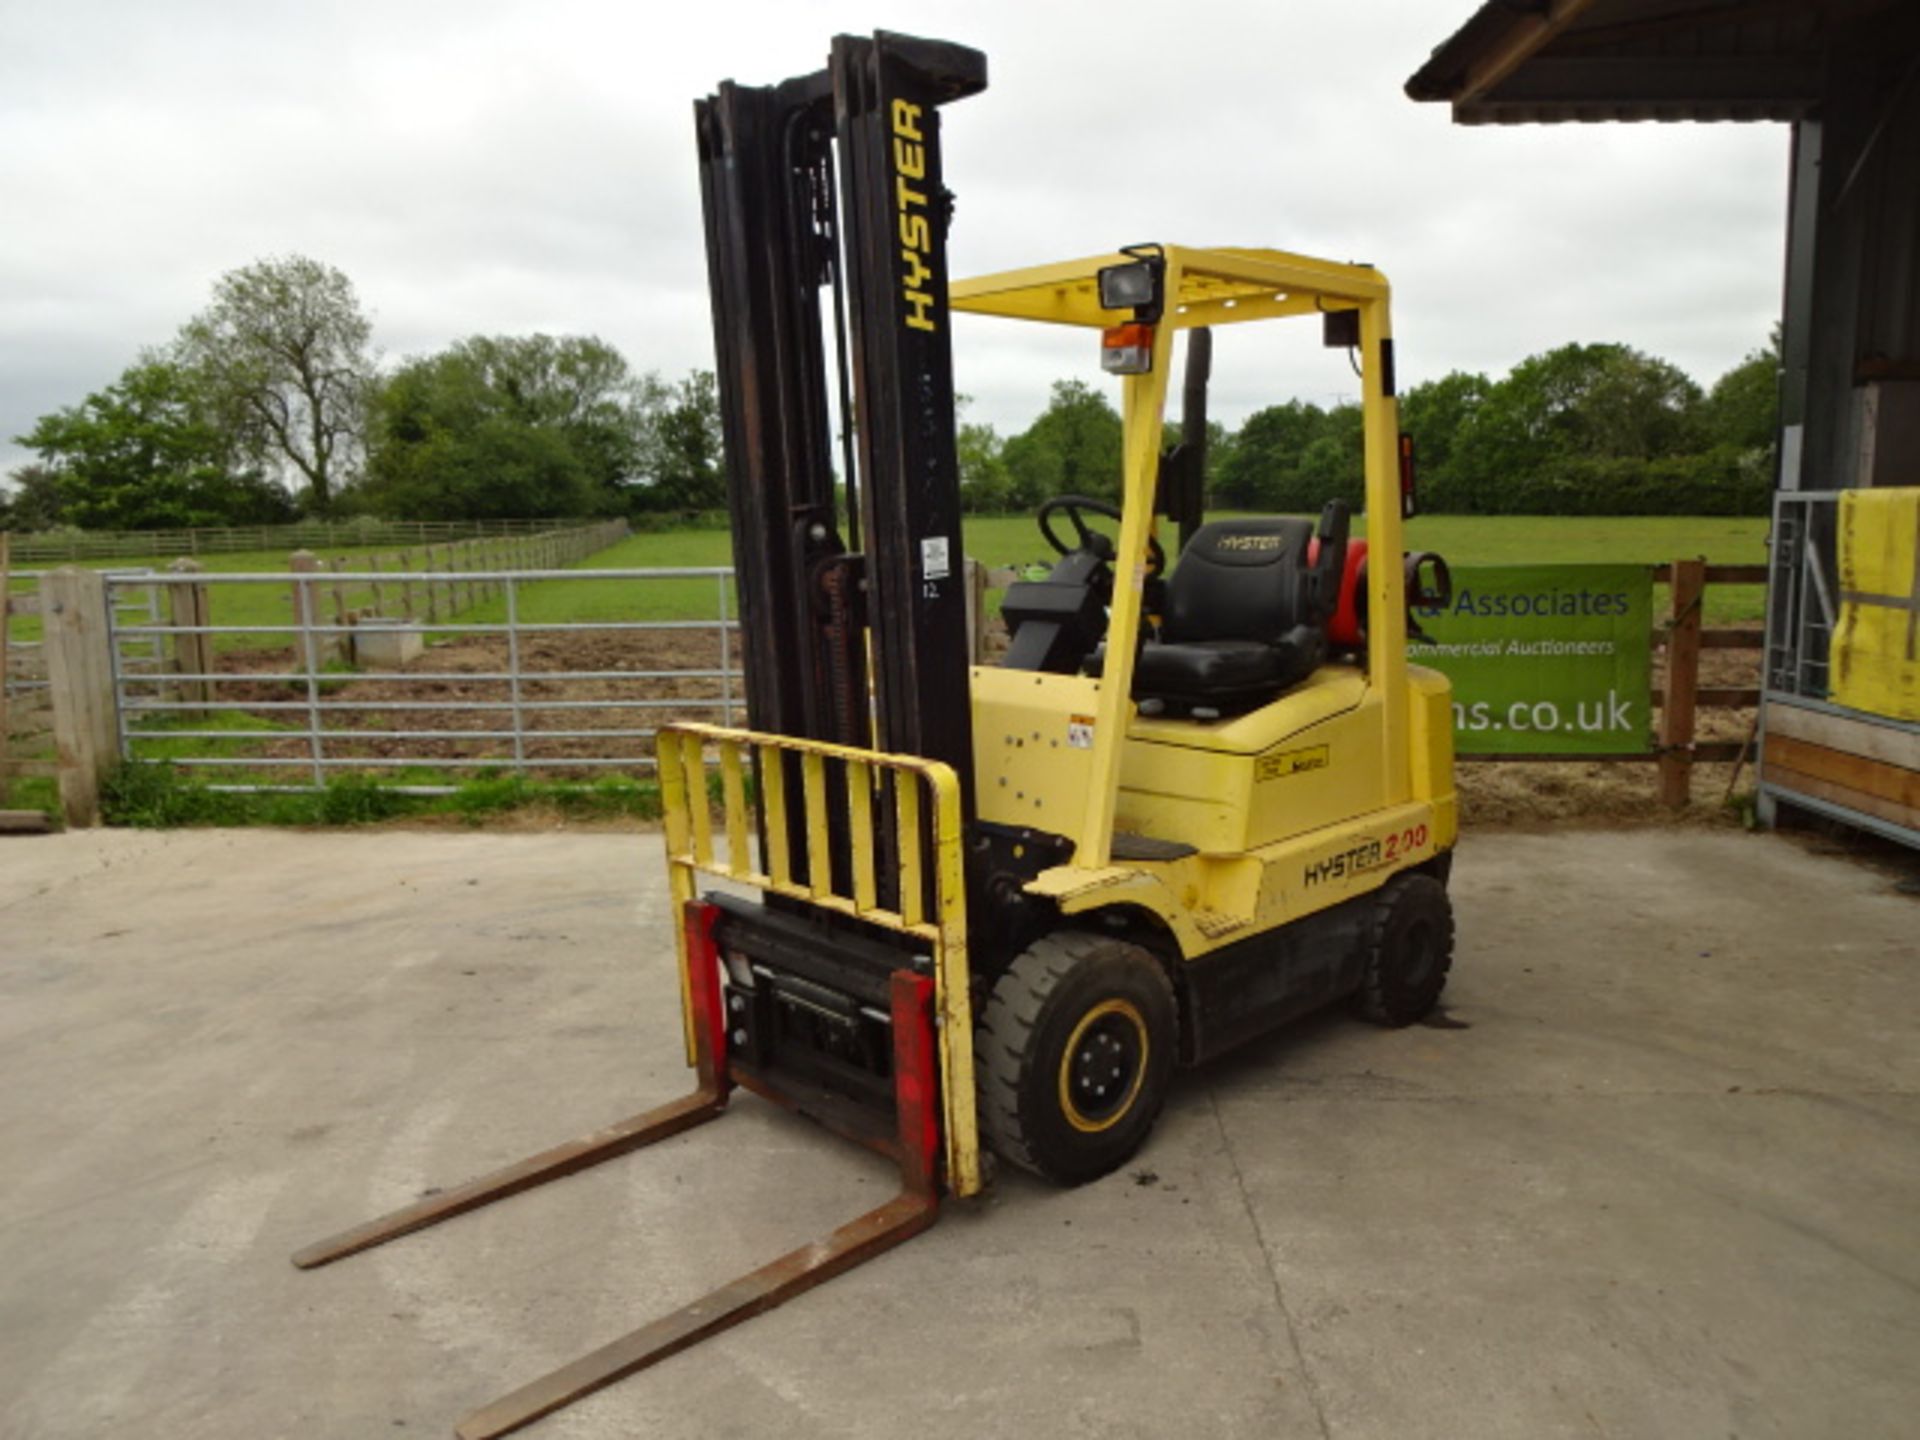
(1520,62)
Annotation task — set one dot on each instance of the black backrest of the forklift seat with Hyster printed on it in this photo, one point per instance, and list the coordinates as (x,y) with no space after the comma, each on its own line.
(1241,581)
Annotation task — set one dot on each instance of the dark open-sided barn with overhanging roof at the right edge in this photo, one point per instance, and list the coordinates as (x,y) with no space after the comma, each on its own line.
(1840,698)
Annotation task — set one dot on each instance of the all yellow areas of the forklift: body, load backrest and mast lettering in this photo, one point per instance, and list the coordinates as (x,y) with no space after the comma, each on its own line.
(1259,821)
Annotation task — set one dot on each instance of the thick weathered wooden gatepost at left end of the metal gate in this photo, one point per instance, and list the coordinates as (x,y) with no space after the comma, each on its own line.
(82,675)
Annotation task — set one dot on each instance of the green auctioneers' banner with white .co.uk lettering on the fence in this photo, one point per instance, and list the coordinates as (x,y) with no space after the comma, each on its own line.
(1547,660)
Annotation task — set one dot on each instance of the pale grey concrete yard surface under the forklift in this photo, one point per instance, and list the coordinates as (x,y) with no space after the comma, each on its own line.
(1654,1174)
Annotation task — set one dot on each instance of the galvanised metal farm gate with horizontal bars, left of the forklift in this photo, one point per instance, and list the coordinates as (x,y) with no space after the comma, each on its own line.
(506,673)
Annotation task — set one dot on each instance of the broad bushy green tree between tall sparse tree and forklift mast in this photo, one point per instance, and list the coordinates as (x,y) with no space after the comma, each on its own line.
(500,427)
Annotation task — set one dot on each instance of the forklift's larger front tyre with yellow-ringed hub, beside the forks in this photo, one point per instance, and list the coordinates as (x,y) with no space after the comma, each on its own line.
(1074,1055)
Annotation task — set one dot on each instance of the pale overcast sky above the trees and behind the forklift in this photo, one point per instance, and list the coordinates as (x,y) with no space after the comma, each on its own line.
(514,168)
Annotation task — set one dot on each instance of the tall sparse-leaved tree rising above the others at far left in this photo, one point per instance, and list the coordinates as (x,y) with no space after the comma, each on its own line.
(283,352)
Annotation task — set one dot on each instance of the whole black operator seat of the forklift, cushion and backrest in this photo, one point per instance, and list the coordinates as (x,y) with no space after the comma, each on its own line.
(1243,623)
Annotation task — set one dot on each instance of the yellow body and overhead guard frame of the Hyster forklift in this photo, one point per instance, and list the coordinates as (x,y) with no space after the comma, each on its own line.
(1268,817)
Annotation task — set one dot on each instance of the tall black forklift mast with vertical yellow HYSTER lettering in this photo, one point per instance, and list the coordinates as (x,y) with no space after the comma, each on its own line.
(825,195)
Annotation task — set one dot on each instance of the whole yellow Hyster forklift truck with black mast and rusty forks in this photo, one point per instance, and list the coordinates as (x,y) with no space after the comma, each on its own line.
(997,907)
